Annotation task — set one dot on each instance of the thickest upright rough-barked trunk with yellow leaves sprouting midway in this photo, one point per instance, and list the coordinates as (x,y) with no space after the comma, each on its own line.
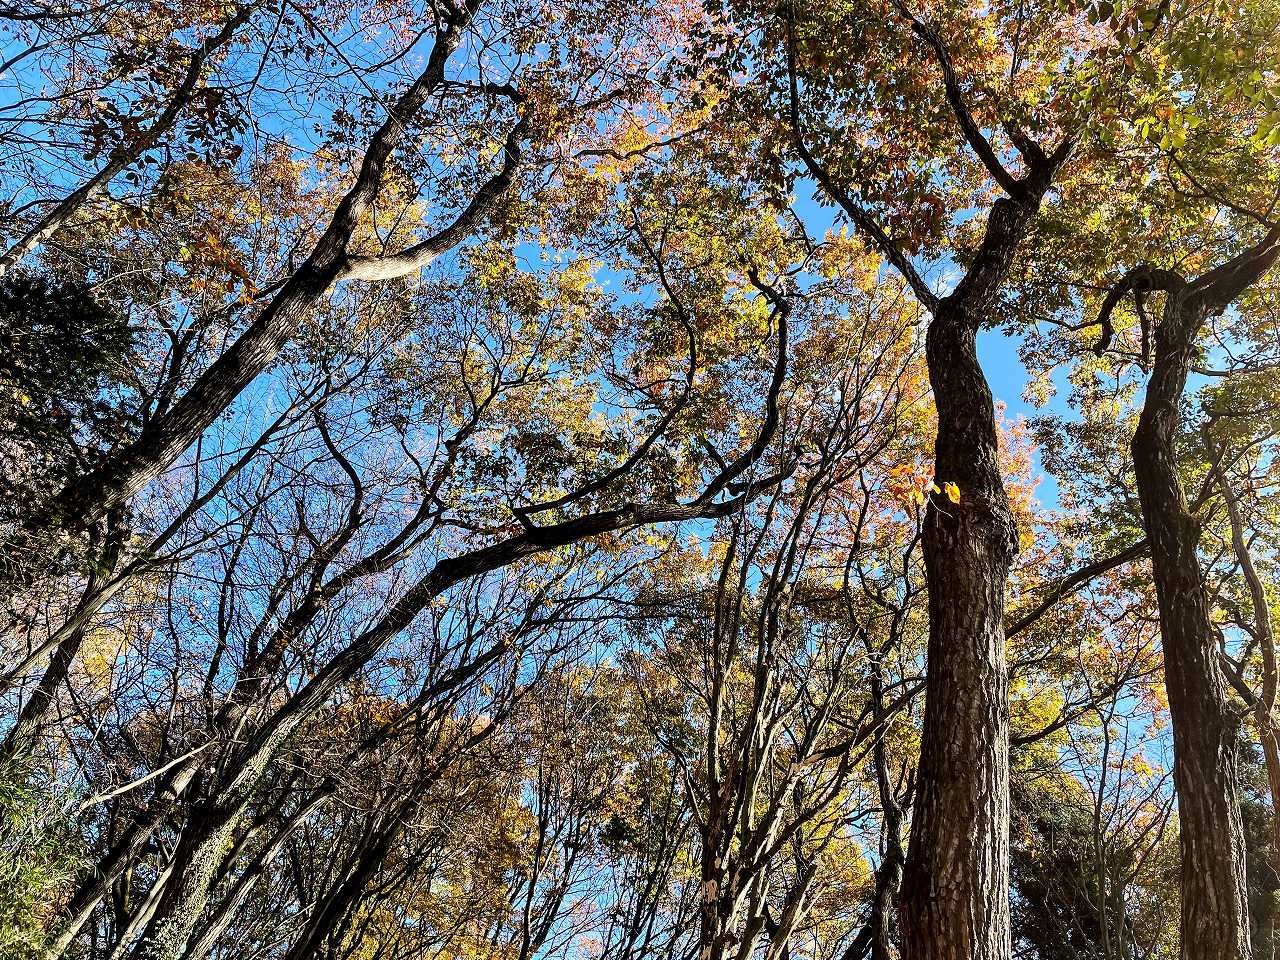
(956,890)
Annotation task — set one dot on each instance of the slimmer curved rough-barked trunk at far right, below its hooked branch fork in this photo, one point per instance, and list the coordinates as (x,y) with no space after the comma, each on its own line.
(1215,924)
